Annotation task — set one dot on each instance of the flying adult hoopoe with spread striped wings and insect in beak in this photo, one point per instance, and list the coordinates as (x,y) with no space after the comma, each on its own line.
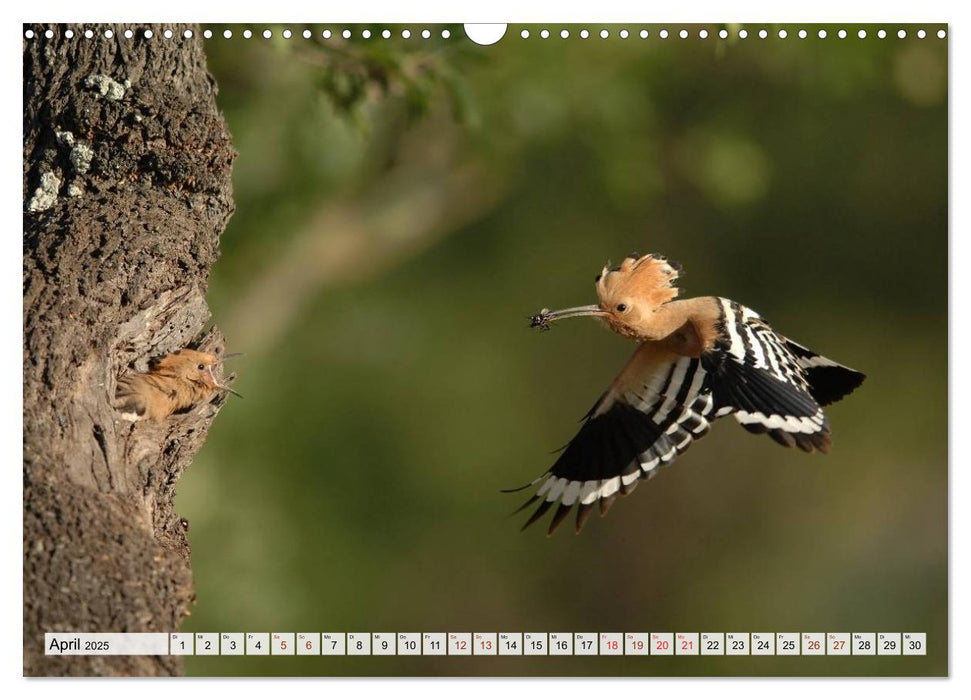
(698,360)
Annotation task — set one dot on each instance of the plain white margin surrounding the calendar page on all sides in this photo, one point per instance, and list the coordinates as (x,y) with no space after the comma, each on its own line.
(819,11)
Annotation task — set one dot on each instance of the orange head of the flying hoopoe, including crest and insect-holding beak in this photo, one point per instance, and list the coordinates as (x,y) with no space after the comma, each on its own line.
(628,294)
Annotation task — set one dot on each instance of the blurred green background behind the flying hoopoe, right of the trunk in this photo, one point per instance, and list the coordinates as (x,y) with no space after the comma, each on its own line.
(404,205)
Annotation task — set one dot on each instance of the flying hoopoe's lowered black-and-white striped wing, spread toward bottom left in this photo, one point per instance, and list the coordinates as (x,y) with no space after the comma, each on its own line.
(653,411)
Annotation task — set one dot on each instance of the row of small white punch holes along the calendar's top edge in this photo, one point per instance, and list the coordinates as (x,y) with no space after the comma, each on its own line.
(525,34)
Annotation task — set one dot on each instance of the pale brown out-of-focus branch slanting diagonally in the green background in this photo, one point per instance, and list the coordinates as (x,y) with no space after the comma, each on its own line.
(344,243)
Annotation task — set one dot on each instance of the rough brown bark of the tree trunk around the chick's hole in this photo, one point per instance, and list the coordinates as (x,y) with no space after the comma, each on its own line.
(127,165)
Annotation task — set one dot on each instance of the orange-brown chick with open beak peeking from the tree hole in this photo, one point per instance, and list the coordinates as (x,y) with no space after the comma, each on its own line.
(174,383)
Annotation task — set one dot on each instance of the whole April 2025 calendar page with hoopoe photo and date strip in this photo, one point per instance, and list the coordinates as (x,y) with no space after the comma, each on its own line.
(548,349)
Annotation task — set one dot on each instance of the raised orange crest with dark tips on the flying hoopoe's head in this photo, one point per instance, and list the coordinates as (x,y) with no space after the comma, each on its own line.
(646,279)
